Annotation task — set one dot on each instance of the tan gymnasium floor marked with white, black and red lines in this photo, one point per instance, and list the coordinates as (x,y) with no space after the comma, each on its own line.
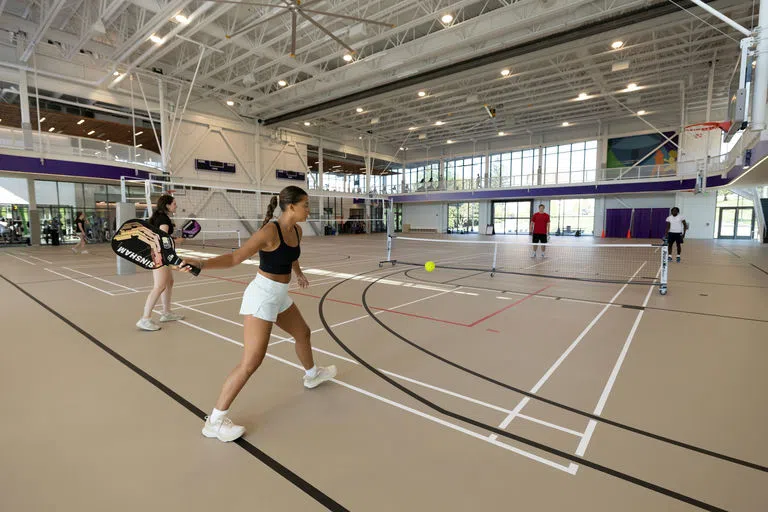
(437,404)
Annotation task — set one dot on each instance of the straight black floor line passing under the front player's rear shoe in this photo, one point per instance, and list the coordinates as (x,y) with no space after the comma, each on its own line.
(271,463)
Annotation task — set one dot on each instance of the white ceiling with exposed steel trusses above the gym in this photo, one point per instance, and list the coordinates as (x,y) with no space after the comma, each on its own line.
(668,57)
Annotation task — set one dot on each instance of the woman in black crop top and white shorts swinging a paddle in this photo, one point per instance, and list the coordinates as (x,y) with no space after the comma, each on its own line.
(266,302)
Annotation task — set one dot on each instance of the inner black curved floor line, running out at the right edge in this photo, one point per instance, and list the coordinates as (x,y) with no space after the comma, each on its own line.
(549,401)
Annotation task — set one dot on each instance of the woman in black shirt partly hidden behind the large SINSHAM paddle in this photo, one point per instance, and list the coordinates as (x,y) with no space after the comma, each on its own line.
(163,276)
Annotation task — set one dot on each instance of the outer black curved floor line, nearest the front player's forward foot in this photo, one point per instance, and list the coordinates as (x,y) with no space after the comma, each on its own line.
(535,444)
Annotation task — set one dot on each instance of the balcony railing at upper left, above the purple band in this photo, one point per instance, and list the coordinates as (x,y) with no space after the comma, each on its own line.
(63,146)
